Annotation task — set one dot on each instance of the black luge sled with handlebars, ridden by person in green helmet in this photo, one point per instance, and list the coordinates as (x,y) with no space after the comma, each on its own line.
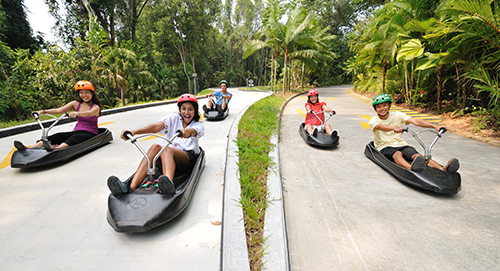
(430,178)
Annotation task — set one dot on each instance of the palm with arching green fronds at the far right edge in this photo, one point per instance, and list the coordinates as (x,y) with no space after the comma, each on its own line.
(472,27)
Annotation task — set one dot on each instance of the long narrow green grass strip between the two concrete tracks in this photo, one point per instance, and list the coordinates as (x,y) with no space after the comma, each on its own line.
(255,129)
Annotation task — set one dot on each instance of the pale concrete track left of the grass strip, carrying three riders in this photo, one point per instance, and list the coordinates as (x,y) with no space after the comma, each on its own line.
(54,218)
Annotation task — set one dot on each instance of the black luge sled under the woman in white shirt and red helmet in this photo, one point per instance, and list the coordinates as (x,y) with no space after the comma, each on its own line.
(145,208)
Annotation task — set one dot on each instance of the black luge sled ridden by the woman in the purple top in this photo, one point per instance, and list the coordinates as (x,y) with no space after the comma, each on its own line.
(36,157)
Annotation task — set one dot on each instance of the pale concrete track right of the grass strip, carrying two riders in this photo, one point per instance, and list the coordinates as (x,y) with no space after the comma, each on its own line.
(344,212)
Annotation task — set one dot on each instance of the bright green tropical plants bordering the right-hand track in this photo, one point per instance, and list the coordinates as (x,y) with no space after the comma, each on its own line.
(443,54)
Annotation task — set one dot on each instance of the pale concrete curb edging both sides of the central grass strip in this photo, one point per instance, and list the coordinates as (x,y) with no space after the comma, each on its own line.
(234,252)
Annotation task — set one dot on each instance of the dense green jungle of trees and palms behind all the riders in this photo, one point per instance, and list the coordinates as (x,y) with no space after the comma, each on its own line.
(440,55)
